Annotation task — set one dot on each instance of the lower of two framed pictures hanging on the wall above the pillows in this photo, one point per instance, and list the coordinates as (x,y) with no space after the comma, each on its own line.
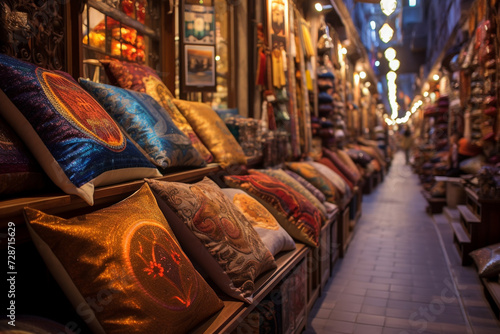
(199,67)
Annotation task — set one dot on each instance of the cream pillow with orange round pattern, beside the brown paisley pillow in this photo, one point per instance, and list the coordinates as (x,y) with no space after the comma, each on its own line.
(270,231)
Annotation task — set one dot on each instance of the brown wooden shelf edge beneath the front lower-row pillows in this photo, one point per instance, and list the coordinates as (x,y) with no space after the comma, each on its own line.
(234,311)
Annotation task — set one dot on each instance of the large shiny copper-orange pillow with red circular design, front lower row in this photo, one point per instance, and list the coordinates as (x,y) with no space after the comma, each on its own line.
(127,256)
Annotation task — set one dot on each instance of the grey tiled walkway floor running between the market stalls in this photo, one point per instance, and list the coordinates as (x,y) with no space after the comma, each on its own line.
(401,273)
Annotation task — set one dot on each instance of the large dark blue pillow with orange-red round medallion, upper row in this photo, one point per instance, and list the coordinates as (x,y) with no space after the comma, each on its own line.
(73,138)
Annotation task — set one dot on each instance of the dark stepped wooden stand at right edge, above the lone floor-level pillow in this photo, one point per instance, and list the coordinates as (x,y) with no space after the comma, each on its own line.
(478,225)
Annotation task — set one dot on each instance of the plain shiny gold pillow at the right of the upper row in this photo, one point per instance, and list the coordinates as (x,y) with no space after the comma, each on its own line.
(213,132)
